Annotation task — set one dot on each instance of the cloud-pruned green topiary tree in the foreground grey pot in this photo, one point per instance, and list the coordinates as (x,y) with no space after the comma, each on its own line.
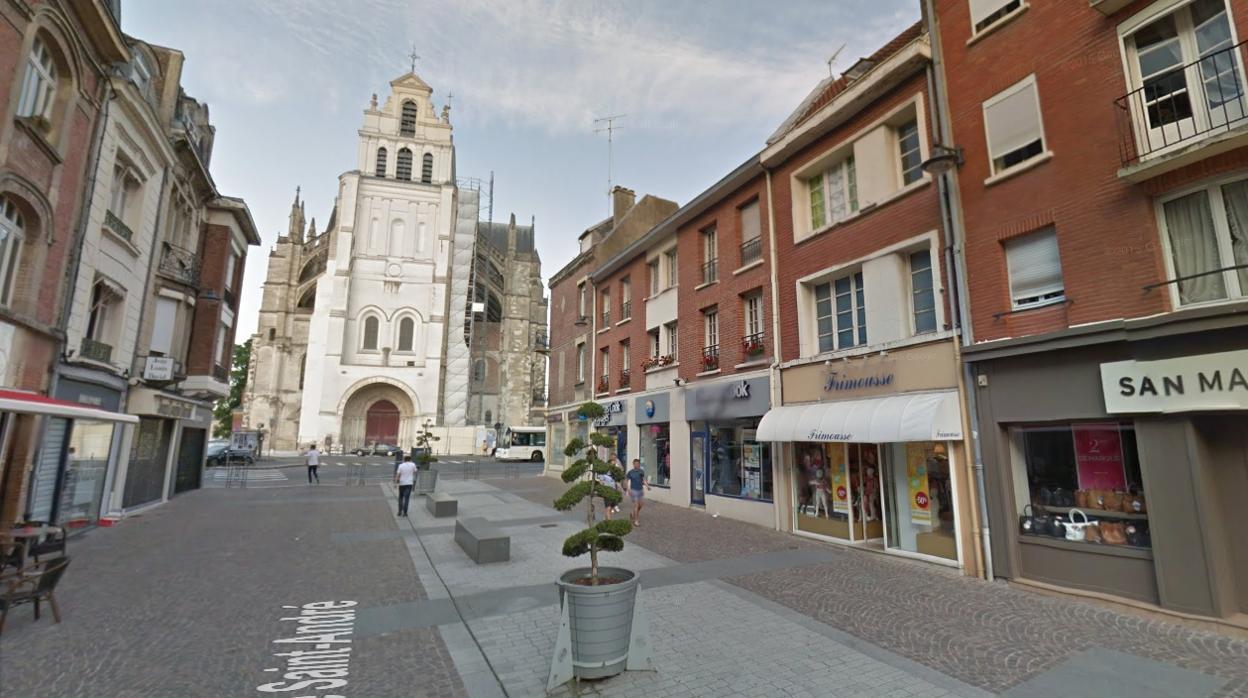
(585,471)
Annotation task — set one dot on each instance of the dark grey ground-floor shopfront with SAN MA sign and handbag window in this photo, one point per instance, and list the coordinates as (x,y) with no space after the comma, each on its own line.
(1140,431)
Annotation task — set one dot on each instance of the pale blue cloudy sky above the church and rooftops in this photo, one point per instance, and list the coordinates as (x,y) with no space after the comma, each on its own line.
(701,84)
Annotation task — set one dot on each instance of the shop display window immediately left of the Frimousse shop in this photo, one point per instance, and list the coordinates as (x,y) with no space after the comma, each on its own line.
(738,465)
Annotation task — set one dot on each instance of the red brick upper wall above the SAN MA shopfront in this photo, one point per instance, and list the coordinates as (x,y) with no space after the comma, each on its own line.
(1108,233)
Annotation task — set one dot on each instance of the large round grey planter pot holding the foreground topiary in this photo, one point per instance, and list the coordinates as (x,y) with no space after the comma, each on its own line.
(601,620)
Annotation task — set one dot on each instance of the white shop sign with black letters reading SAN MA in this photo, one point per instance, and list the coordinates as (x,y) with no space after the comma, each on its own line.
(1187,384)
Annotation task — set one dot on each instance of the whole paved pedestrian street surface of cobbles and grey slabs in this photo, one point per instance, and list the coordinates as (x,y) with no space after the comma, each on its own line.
(190,599)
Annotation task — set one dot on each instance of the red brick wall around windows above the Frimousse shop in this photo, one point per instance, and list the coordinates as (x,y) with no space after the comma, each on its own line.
(894,222)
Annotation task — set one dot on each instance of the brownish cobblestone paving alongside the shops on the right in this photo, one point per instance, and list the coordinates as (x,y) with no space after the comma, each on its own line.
(988,635)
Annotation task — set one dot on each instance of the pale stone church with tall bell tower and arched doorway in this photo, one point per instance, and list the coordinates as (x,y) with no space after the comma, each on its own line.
(355,343)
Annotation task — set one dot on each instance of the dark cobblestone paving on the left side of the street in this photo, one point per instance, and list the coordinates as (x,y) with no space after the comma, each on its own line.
(185,601)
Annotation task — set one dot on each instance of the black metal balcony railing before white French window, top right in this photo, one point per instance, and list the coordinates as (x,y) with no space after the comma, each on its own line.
(1184,106)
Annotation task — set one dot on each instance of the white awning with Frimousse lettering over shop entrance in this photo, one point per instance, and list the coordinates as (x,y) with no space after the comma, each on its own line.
(930,416)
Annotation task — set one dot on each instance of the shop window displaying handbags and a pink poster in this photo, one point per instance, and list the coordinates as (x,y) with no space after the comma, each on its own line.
(1080,483)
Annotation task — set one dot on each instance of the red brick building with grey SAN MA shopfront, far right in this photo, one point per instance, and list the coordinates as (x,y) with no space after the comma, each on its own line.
(1104,204)
